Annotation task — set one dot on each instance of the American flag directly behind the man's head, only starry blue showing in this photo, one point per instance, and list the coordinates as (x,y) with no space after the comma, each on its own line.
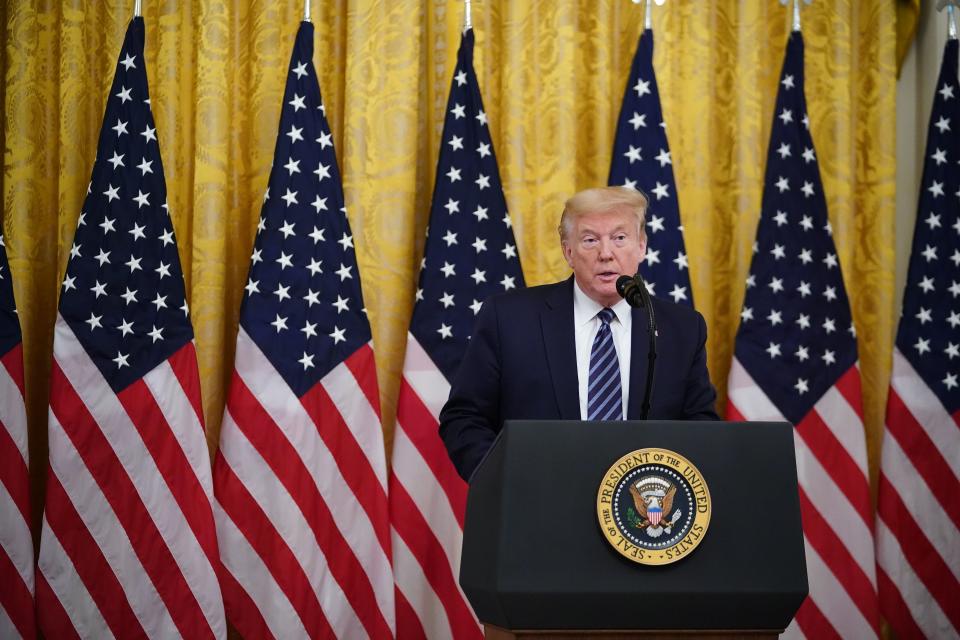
(641,159)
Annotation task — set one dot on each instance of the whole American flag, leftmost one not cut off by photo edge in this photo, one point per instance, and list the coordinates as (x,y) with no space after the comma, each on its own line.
(128,545)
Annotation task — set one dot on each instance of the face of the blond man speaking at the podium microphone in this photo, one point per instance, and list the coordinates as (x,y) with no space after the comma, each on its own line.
(600,248)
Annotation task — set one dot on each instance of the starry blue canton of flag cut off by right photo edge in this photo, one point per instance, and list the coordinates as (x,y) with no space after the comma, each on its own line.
(927,336)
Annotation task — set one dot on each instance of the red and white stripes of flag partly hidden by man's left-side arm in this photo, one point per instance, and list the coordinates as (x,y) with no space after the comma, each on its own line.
(427,506)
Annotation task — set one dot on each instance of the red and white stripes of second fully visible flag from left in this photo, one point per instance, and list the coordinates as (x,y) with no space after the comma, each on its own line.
(302,503)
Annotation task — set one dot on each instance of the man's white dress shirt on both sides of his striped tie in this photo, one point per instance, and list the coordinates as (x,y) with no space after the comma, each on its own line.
(585,327)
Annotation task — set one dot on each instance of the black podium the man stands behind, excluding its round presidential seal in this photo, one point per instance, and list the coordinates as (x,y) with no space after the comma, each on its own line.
(536,564)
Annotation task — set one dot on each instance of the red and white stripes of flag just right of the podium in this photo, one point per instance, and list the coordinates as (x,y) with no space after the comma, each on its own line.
(834,503)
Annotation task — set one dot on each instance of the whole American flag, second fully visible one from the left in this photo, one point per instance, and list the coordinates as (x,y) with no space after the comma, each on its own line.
(300,475)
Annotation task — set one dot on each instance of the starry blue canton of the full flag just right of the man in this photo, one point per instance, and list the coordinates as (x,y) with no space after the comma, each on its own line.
(796,335)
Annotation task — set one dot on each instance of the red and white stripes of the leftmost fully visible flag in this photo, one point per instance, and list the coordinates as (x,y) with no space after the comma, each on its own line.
(128,542)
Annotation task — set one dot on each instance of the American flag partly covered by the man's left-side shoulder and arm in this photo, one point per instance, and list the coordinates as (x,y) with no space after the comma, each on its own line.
(470,254)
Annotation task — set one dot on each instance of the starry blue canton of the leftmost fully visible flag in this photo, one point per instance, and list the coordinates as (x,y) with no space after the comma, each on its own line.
(123,294)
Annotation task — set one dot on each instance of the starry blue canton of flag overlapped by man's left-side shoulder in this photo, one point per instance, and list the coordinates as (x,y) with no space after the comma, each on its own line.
(471,253)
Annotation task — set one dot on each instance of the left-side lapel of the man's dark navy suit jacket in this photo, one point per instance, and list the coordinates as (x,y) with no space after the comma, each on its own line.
(556,321)
